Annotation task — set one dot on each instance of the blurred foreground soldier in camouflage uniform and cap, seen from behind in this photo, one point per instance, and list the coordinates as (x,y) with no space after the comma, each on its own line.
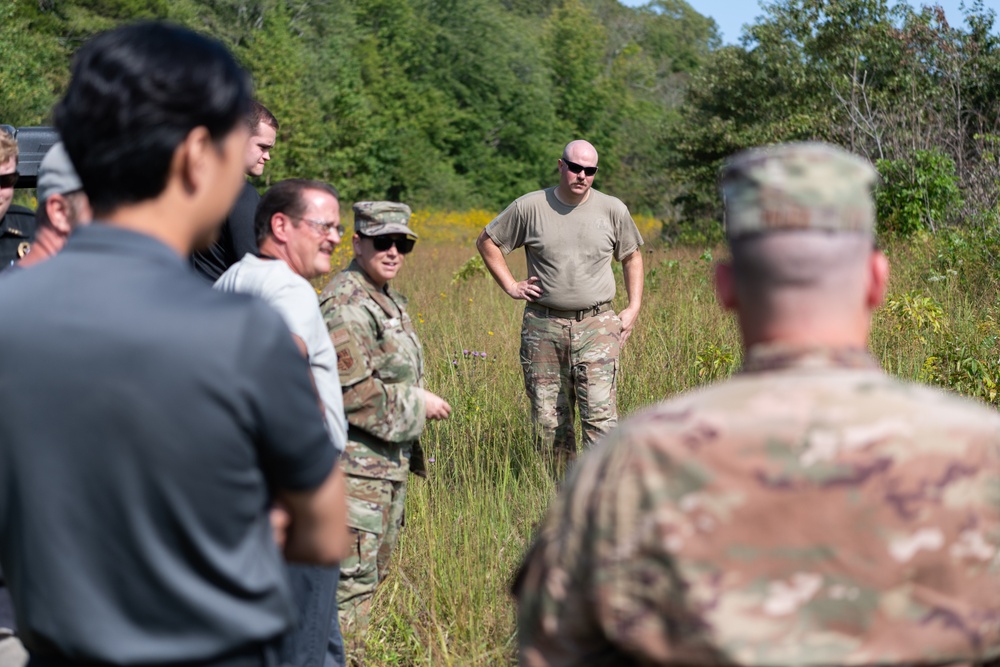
(809,511)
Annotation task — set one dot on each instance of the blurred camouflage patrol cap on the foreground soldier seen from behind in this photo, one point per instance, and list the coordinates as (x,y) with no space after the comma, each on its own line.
(799,186)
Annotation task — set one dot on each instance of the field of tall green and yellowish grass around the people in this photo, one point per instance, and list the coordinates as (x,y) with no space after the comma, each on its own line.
(446,599)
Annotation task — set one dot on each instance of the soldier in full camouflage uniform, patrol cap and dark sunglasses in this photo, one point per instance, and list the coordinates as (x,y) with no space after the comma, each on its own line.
(381,365)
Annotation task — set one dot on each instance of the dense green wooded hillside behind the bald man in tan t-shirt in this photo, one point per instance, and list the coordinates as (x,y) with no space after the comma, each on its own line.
(440,103)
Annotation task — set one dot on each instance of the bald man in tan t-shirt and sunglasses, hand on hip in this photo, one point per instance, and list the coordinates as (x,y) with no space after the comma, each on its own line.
(570,336)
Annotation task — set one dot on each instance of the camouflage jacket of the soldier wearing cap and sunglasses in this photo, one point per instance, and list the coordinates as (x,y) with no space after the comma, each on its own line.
(381,364)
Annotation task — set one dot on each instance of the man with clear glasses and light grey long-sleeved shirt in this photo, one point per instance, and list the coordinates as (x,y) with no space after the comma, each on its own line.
(297,227)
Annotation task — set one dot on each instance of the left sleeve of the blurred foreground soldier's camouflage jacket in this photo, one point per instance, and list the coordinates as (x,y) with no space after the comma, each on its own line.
(595,589)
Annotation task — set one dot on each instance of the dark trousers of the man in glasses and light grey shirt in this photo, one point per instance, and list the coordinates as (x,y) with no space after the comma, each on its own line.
(315,640)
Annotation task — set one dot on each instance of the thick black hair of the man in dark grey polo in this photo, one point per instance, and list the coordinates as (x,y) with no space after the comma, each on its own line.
(135,94)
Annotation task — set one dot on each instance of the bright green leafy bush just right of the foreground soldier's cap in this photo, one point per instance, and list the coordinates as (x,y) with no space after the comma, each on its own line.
(919,192)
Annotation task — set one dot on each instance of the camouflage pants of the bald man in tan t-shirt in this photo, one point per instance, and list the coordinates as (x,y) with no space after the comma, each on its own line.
(567,362)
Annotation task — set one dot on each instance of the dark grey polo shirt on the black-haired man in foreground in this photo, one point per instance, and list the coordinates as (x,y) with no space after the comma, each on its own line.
(147,420)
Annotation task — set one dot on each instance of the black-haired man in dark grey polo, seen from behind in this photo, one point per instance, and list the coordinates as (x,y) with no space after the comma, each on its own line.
(140,455)
